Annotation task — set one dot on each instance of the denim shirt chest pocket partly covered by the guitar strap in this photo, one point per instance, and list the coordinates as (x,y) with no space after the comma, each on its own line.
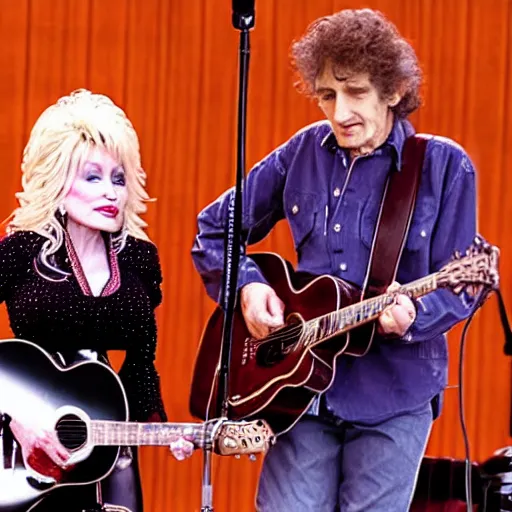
(420,230)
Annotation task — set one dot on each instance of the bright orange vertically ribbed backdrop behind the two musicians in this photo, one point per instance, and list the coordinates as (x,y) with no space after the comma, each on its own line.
(172,65)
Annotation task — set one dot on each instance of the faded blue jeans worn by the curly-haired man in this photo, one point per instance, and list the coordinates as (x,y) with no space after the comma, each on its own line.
(325,465)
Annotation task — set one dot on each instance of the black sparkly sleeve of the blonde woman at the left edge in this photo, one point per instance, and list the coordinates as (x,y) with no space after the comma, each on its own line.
(17,253)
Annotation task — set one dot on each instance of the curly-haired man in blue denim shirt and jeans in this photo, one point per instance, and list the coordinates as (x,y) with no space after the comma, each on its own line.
(360,445)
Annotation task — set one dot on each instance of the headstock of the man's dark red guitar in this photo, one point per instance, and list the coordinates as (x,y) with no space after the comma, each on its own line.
(478,267)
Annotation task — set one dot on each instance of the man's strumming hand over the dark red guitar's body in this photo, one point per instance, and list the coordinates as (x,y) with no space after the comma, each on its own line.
(262,309)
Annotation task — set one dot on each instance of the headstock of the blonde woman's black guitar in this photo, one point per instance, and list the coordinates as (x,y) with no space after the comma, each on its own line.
(243,437)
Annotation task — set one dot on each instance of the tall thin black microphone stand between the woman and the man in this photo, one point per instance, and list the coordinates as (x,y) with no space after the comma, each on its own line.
(242,21)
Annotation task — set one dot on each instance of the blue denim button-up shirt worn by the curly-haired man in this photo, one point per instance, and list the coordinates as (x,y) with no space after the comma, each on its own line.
(331,205)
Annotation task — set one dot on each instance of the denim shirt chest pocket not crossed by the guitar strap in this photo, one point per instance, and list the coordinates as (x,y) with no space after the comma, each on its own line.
(301,210)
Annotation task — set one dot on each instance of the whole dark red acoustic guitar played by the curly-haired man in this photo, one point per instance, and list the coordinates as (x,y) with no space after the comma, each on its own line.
(278,377)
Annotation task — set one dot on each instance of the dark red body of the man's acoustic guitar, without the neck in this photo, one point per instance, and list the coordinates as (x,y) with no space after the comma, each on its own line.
(277,379)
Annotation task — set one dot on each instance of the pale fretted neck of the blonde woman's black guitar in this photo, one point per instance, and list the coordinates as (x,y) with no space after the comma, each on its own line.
(117,433)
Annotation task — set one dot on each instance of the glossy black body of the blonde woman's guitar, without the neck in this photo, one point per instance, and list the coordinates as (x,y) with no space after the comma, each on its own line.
(28,371)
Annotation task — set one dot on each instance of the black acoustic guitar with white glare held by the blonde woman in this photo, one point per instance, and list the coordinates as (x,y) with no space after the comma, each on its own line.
(87,407)
